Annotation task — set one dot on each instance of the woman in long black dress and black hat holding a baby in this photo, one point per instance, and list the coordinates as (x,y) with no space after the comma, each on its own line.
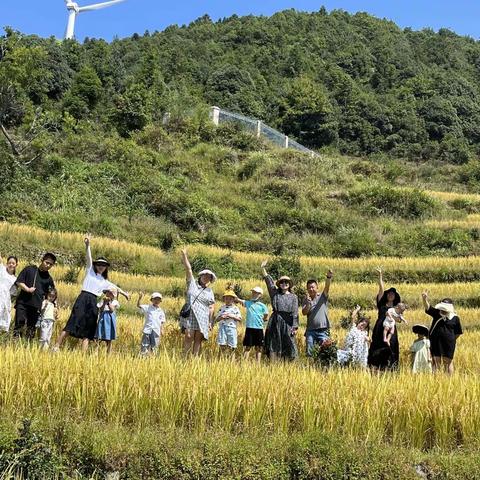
(380,355)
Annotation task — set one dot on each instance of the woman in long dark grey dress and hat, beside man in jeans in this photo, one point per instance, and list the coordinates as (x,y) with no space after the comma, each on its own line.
(283,323)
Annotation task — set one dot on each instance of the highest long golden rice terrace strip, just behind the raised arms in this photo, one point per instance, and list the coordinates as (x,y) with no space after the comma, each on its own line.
(155,261)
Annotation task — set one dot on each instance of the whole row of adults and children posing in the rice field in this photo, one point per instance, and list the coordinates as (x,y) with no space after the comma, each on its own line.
(93,317)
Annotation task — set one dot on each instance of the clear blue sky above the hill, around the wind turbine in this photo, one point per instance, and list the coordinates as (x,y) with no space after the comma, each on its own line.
(49,16)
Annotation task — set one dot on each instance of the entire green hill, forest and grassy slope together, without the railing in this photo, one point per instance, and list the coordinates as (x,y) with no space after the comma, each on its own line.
(83,146)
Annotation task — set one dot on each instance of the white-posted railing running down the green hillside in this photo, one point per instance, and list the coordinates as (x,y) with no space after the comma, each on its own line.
(258,128)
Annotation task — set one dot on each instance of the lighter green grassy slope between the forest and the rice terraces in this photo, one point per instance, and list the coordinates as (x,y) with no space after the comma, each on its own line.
(162,189)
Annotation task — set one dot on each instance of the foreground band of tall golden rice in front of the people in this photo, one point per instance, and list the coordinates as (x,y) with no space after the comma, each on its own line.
(225,394)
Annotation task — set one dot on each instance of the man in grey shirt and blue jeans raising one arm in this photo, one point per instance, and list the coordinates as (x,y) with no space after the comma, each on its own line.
(315,308)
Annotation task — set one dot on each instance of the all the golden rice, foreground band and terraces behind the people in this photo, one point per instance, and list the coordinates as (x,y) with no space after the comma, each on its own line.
(231,394)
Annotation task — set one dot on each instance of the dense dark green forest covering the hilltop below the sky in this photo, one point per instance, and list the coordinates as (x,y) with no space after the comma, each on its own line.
(351,82)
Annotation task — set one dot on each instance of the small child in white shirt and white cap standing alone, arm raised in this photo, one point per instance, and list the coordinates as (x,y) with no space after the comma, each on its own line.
(154,319)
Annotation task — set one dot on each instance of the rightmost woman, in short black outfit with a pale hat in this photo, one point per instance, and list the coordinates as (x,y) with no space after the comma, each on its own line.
(444,331)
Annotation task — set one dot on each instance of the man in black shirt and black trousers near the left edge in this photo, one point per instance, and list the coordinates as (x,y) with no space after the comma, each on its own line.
(34,284)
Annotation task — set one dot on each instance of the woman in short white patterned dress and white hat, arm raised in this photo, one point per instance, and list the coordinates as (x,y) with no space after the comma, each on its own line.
(196,317)
